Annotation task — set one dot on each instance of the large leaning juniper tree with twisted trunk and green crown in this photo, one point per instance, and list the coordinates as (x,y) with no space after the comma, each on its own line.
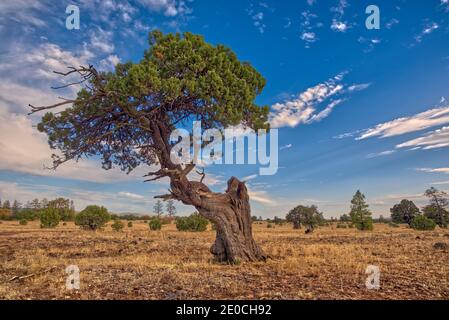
(126,118)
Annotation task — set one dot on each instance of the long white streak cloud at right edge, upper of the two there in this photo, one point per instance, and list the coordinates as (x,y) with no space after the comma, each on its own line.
(418,122)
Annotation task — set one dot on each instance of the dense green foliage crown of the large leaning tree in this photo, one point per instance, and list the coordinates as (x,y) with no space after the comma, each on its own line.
(118,115)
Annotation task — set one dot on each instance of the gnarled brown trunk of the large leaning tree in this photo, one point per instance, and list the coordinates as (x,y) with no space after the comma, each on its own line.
(229,211)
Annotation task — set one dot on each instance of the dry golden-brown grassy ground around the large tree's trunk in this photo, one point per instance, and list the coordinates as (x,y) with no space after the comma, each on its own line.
(142,264)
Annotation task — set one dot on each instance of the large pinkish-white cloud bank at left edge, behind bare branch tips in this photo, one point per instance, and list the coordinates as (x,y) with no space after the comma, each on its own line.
(26,78)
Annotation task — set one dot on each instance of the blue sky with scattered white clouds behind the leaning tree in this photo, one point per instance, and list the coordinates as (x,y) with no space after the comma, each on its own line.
(355,108)
